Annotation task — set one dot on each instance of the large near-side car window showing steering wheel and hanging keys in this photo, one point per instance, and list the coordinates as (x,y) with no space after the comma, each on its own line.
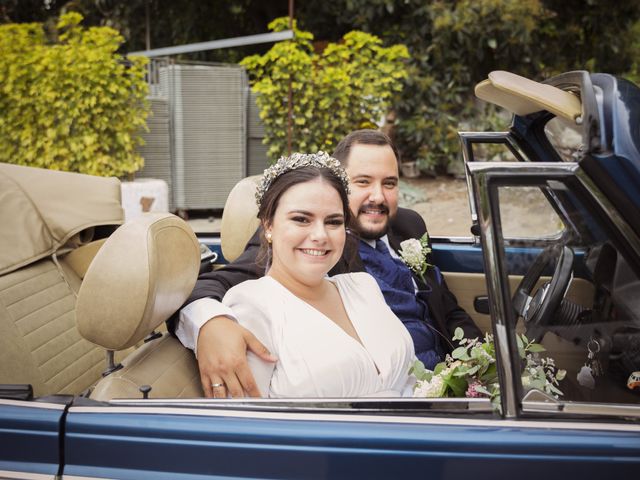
(593,331)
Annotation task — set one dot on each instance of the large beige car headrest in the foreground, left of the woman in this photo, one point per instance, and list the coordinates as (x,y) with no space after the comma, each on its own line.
(142,274)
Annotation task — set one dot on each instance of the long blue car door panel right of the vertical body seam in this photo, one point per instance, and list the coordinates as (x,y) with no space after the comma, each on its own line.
(177,443)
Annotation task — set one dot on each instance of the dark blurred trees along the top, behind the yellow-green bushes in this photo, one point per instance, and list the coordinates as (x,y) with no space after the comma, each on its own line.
(452,45)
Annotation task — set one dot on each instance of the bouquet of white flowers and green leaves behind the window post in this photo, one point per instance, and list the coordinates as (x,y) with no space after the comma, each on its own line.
(470,371)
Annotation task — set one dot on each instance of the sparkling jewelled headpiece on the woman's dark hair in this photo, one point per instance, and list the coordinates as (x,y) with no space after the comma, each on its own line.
(300,160)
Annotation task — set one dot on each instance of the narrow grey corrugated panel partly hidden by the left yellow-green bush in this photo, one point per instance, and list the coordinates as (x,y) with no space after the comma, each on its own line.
(157,148)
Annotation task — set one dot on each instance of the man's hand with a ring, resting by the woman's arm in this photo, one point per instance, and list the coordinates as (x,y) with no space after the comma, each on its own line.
(222,359)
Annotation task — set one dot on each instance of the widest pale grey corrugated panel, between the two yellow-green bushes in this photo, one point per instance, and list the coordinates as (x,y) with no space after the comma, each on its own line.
(209,131)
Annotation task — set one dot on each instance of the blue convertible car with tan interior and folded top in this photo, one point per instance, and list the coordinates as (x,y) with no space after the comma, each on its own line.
(91,387)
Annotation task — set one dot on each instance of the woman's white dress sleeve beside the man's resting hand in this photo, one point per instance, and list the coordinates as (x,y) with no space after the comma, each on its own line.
(255,315)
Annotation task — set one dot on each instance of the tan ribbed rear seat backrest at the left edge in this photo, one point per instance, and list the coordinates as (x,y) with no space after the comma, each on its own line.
(39,342)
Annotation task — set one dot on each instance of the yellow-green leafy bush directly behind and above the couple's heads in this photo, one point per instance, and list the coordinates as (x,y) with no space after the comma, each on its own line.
(350,85)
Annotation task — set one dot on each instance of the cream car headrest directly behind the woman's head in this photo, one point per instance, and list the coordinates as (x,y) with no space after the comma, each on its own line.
(239,218)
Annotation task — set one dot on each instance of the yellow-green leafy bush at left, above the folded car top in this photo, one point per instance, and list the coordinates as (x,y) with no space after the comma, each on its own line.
(70,102)
